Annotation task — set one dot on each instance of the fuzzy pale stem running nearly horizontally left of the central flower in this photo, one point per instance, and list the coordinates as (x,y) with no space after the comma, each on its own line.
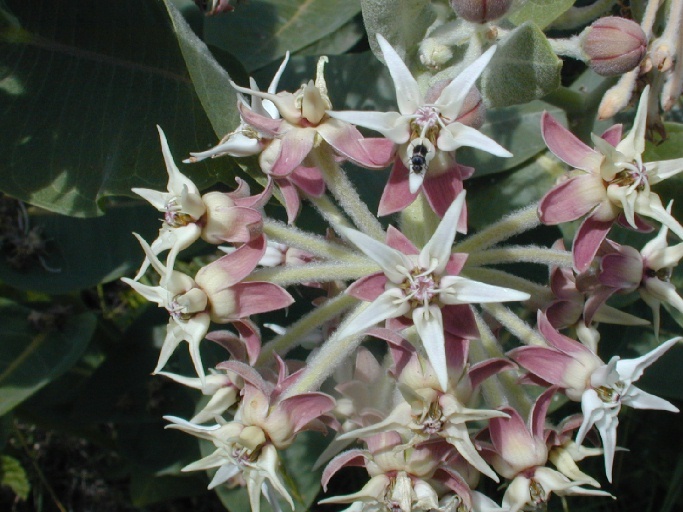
(318,272)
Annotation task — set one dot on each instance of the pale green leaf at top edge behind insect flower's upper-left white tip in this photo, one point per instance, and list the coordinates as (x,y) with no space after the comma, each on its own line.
(402,22)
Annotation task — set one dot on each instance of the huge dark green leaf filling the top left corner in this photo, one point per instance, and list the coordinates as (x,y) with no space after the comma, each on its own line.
(83,87)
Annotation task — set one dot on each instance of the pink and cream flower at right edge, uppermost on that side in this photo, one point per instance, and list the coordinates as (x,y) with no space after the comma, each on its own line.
(611,182)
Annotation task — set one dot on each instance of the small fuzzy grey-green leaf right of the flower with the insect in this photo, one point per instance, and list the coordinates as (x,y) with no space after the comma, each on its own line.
(524,68)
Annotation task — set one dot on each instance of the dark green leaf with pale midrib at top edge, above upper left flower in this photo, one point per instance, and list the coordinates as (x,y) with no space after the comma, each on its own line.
(258,33)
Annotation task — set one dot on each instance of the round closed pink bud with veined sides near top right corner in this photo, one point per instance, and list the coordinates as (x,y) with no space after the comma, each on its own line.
(614,45)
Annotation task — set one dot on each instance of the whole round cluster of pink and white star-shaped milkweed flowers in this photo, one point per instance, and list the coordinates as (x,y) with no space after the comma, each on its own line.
(438,407)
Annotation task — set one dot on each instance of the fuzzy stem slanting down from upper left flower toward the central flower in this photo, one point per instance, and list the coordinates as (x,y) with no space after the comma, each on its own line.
(344,192)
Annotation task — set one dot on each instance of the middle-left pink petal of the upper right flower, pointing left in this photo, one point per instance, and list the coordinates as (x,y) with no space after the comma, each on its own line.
(571,199)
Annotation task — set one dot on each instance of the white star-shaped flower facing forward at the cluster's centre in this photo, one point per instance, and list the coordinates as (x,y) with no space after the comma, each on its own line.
(419,284)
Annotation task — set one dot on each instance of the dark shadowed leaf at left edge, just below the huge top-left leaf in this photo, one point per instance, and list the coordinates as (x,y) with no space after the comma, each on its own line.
(81,253)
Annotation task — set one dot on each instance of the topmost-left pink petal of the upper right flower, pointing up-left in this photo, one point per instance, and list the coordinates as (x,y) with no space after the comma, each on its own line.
(567,147)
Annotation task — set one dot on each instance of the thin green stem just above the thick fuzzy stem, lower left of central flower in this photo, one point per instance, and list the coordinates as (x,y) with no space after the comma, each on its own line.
(306,324)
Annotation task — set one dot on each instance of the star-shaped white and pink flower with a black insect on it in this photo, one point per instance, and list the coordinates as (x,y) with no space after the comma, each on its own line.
(427,132)
